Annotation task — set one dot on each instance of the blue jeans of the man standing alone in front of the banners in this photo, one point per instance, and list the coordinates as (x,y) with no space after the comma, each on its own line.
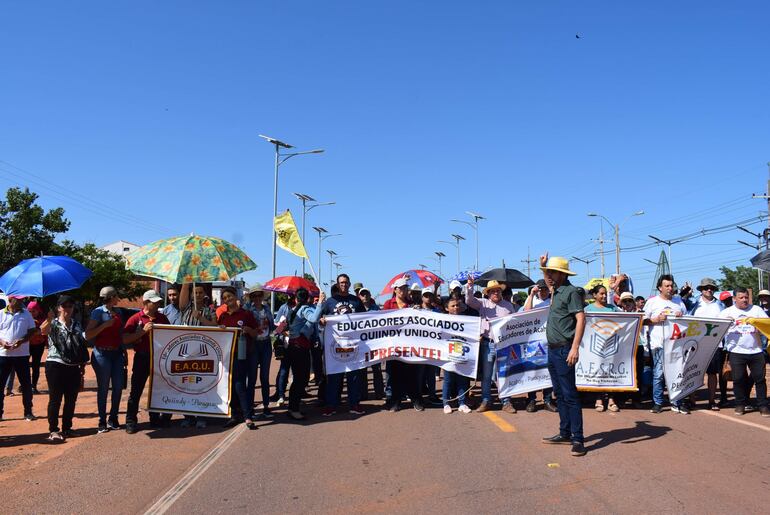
(567,396)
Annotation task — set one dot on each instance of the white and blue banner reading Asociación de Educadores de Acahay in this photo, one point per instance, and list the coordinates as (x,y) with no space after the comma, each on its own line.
(521,352)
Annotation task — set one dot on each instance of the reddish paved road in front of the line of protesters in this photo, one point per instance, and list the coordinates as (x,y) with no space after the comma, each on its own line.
(416,462)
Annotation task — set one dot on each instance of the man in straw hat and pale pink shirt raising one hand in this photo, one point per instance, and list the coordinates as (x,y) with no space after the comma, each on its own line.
(492,306)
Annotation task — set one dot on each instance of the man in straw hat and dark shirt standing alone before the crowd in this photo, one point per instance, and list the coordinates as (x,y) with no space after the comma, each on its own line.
(564,330)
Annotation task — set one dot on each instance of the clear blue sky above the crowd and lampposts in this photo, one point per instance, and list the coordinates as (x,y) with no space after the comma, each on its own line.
(141,120)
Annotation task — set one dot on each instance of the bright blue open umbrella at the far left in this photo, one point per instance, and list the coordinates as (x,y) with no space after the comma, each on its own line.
(46,275)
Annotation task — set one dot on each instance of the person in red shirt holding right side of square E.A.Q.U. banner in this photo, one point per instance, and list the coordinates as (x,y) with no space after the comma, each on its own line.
(236,316)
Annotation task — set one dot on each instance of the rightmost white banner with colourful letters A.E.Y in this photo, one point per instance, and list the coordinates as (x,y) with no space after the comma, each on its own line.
(688,351)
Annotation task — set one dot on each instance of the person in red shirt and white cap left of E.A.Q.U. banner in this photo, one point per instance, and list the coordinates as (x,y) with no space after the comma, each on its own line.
(137,331)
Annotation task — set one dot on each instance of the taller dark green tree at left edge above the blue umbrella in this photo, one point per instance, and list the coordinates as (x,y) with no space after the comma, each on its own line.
(26,229)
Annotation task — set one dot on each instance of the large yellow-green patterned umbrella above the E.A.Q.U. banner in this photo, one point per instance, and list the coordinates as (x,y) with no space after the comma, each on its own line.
(188,259)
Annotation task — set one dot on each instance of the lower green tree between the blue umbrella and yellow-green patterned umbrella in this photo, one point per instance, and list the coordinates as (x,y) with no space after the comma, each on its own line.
(108,269)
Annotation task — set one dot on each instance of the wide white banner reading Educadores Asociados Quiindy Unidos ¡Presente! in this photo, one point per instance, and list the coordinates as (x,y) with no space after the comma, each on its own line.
(358,340)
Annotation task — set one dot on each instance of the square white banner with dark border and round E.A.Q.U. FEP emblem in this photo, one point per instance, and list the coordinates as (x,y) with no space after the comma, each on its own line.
(190,370)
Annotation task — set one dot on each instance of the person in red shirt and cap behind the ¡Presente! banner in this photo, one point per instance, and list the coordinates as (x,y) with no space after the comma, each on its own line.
(404,377)
